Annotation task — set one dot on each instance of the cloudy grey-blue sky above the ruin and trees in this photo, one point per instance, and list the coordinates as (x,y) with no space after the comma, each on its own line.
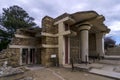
(40,8)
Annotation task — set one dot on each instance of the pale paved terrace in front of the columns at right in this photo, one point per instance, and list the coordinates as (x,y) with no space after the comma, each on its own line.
(108,68)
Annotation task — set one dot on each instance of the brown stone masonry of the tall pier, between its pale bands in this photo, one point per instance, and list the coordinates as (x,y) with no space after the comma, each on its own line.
(48,27)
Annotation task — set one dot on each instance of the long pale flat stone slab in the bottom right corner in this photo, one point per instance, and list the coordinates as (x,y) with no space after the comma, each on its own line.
(106,73)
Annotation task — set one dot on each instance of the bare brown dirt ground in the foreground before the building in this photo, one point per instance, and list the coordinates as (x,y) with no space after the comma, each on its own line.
(57,74)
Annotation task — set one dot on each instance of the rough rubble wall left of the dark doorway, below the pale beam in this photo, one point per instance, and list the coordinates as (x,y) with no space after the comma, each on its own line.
(10,55)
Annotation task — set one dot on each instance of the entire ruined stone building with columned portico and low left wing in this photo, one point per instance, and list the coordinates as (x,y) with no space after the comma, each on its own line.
(78,35)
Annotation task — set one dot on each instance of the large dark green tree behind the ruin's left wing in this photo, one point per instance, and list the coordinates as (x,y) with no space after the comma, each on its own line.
(12,19)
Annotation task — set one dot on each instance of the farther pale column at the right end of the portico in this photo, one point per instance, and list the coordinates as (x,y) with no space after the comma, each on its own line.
(100,44)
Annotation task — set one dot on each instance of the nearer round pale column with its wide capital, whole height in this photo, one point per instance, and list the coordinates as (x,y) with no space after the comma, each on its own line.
(84,42)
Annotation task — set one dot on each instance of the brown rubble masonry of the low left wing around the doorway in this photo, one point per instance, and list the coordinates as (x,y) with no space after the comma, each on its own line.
(12,55)
